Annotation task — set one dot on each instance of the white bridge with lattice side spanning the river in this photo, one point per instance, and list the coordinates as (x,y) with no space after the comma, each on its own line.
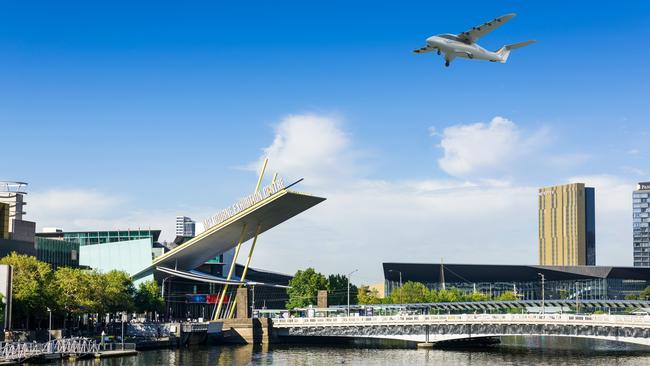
(441,328)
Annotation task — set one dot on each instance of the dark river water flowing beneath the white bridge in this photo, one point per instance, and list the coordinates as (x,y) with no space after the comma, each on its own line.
(513,351)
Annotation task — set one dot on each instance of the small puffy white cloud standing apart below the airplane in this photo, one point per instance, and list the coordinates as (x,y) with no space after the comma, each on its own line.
(485,148)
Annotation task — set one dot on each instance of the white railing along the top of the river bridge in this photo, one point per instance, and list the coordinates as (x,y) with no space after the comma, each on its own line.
(617,320)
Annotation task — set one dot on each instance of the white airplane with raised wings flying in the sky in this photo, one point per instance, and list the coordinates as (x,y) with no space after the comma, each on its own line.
(464,44)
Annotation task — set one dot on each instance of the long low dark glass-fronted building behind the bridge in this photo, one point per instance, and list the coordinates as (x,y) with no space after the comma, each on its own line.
(568,283)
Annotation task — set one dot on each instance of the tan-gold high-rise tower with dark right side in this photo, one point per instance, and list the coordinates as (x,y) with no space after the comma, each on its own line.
(566,225)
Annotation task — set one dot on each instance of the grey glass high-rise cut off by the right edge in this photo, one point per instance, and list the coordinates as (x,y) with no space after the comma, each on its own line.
(641,225)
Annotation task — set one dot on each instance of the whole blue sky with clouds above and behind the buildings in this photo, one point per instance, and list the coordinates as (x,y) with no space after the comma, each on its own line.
(121,114)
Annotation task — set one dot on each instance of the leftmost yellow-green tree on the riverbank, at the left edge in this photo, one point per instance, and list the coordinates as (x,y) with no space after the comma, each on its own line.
(32,288)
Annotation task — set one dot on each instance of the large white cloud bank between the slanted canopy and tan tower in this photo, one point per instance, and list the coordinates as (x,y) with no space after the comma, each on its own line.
(365,222)
